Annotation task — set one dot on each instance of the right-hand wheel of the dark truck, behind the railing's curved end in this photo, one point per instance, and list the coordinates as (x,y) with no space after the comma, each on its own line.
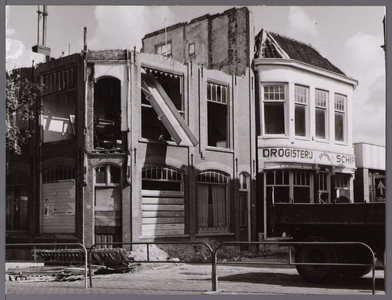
(356,255)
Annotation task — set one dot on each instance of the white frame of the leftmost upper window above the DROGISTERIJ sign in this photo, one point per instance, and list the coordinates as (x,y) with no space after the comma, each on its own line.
(285,102)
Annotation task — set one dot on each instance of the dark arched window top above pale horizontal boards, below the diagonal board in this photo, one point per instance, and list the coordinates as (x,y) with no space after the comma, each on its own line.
(163,179)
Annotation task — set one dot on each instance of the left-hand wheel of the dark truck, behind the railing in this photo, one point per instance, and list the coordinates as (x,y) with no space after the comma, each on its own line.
(317,253)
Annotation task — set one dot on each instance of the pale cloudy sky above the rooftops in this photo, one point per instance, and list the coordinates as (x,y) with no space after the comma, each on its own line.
(349,36)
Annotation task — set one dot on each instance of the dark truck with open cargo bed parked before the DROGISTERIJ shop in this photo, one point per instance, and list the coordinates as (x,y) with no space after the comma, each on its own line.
(332,222)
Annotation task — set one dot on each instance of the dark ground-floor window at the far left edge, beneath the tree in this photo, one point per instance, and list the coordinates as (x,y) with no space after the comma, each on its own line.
(17,201)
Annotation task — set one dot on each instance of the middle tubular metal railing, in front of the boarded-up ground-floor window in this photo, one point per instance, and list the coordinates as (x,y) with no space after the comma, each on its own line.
(148,251)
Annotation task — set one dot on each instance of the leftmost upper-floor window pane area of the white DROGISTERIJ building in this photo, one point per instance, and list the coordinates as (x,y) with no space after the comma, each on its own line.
(274,109)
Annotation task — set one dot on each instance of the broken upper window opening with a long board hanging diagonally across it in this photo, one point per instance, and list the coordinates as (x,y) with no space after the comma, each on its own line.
(163,108)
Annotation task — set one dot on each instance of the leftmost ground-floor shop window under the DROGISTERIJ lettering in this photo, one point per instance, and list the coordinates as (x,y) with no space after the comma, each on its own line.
(278,187)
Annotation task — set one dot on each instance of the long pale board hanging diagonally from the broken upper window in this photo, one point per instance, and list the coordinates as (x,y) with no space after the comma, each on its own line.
(167,112)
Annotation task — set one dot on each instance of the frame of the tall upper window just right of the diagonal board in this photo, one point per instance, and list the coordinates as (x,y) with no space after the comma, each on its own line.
(209,94)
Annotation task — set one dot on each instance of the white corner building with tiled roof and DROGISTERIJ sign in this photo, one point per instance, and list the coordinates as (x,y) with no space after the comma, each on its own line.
(304,126)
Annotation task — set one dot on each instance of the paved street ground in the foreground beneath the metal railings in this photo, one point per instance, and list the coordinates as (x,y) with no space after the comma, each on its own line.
(186,279)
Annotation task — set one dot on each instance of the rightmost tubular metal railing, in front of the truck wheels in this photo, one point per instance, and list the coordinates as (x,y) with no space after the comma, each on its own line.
(214,274)
